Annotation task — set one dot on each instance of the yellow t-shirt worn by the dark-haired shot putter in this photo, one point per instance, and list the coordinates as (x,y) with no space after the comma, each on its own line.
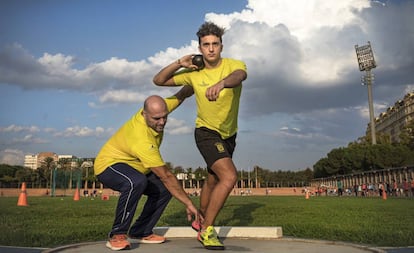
(220,115)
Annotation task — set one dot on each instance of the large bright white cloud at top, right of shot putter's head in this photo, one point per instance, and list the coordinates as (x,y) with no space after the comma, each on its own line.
(296,37)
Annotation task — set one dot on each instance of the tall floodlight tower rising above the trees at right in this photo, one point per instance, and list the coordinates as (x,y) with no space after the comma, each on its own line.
(366,62)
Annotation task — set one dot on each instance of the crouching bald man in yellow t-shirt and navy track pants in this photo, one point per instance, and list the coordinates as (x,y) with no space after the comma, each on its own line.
(130,163)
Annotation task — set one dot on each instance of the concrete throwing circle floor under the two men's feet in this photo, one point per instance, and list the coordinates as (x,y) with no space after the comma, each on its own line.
(191,245)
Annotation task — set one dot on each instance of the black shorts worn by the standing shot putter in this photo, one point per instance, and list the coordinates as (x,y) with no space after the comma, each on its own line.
(212,147)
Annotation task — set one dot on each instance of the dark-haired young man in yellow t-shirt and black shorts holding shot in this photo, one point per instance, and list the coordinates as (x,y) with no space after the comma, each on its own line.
(217,88)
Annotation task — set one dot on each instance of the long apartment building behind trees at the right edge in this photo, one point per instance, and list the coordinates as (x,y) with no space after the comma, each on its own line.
(393,120)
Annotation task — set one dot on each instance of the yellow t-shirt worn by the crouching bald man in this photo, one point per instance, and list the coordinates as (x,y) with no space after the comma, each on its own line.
(135,144)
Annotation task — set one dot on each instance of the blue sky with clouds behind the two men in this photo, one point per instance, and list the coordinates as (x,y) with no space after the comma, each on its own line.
(72,72)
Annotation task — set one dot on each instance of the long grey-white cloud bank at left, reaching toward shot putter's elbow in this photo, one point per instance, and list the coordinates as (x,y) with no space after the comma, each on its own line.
(56,71)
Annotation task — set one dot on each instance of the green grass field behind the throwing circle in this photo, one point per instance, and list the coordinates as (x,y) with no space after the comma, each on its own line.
(51,222)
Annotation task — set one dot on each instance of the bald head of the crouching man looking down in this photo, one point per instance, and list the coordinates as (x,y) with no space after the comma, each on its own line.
(155,112)
